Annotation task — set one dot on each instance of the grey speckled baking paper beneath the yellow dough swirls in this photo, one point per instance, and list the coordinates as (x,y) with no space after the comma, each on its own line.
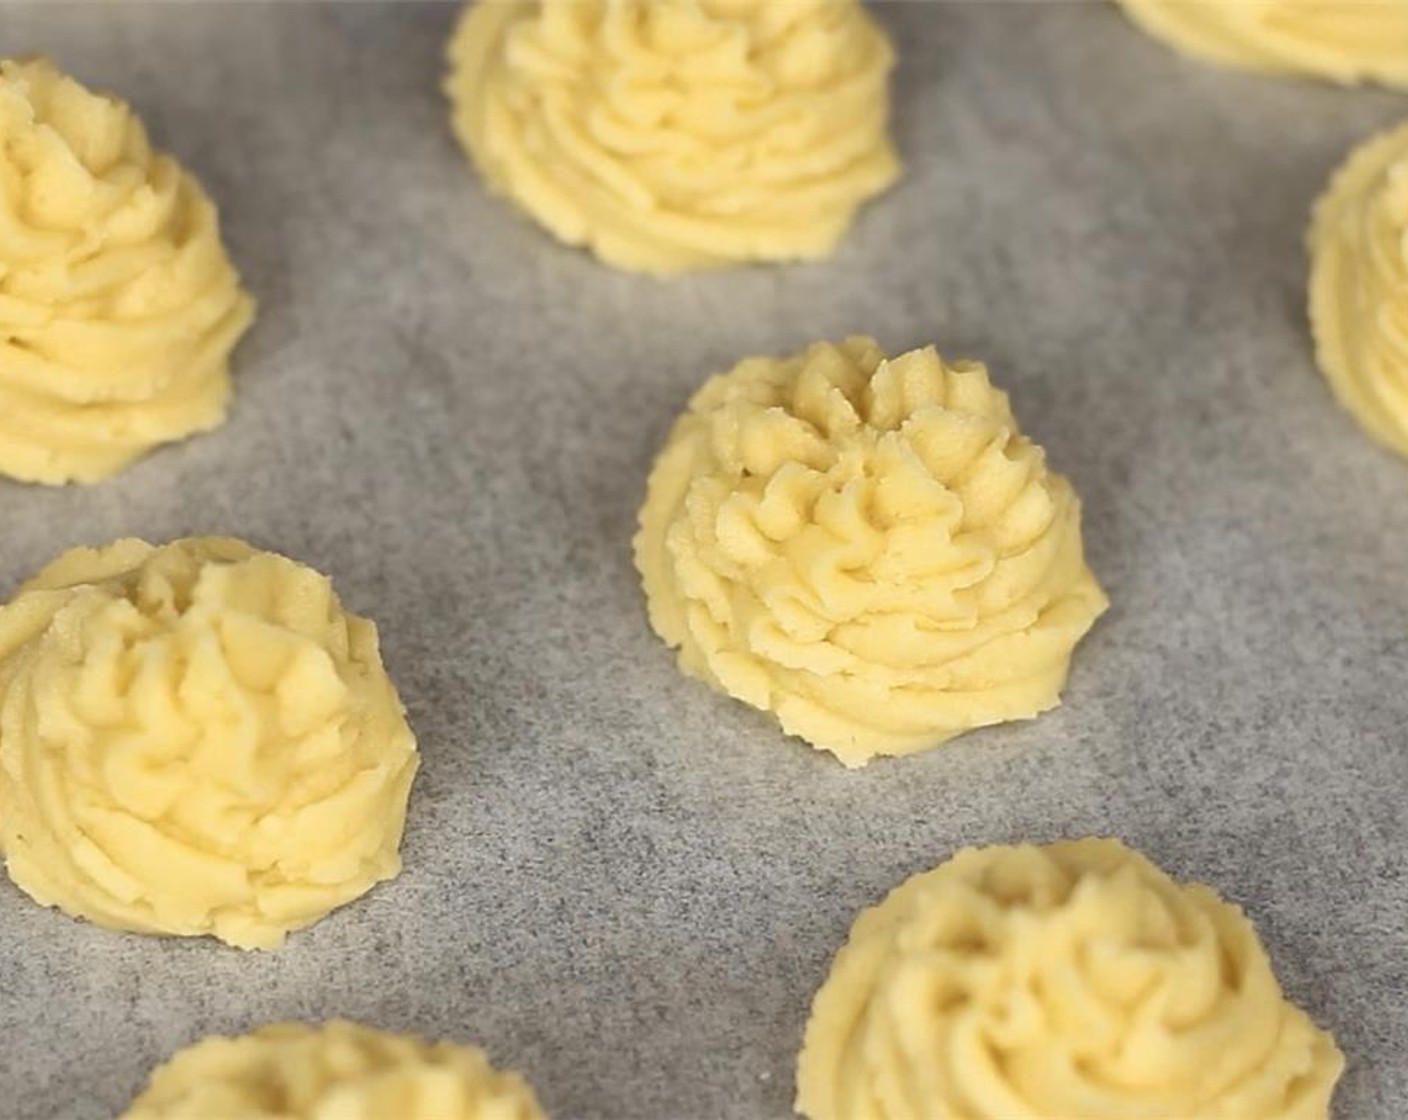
(616,881)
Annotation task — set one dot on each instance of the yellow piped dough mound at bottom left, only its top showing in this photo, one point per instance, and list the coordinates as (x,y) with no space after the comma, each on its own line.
(337,1071)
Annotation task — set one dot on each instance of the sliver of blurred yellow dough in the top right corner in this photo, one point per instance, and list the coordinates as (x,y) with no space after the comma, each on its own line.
(1337,40)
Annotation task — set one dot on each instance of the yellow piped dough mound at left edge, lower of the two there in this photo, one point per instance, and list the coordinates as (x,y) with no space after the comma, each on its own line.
(196,740)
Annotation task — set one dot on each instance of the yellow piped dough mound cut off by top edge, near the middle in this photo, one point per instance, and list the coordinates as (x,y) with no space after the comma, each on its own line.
(678,135)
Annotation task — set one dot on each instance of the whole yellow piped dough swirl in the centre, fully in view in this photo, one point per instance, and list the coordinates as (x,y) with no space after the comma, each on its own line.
(867,547)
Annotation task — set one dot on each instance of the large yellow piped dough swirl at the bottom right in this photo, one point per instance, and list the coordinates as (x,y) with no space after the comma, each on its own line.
(1069,983)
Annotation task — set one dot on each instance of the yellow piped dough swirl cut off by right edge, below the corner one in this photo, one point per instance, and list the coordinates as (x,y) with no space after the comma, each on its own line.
(1359,287)
